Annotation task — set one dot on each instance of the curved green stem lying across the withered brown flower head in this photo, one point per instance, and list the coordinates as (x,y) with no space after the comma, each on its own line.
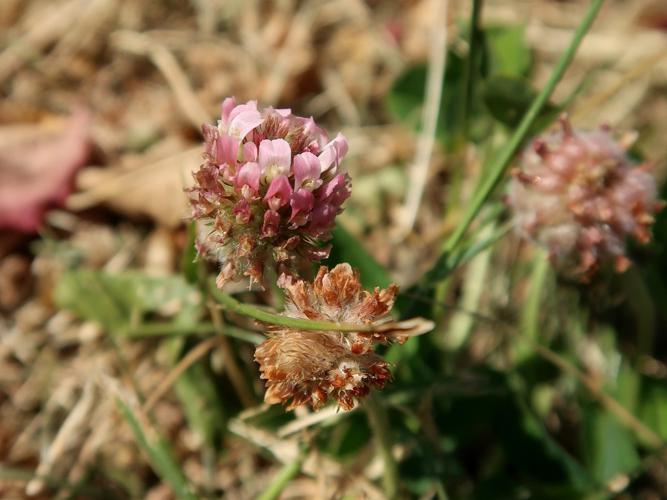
(231,304)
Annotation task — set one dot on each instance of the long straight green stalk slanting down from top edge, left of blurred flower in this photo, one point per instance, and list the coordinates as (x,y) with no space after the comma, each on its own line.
(498,168)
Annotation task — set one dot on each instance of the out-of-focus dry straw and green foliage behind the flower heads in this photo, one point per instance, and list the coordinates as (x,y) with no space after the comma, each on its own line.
(121,379)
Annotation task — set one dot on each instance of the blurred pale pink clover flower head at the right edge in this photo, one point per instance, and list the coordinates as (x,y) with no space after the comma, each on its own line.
(579,194)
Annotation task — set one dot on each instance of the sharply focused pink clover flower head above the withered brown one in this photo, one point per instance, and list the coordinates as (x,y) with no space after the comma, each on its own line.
(268,191)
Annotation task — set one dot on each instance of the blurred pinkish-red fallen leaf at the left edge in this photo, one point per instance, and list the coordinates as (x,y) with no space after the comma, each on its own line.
(37,164)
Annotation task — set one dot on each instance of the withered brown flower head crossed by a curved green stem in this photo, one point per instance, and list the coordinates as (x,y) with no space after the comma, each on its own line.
(309,367)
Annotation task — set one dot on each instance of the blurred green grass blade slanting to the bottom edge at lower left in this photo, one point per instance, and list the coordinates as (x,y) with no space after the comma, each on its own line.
(159,454)
